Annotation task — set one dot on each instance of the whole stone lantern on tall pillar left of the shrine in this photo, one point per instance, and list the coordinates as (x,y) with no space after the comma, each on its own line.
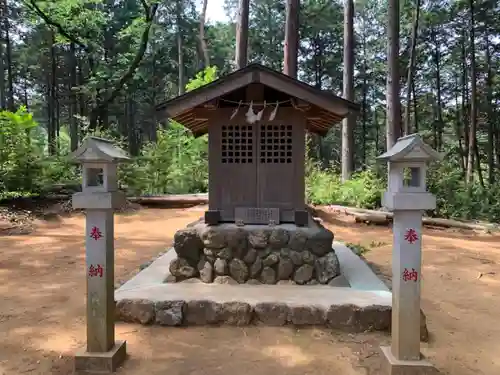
(99,197)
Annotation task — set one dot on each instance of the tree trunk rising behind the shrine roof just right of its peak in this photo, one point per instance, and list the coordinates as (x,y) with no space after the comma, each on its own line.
(291,37)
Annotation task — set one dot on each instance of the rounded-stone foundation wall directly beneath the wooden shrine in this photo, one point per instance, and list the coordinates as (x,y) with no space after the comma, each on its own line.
(255,254)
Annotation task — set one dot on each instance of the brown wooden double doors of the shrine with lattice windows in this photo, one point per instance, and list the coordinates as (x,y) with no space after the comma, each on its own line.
(254,168)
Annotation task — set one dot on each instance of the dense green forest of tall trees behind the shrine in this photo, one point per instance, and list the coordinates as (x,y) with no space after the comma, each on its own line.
(70,68)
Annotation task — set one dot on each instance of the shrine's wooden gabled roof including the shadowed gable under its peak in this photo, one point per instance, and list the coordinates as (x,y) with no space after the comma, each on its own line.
(321,108)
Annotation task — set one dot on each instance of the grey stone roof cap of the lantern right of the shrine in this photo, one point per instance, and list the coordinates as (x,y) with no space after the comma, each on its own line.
(410,148)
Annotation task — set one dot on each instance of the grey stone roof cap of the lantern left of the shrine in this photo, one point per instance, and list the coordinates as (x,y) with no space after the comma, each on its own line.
(95,149)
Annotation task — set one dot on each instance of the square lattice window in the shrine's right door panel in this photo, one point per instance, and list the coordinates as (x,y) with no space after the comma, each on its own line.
(275,144)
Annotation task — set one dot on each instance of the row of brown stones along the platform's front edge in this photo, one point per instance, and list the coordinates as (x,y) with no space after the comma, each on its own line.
(203,312)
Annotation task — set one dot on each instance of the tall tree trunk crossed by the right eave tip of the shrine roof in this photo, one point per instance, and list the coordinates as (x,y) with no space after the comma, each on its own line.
(349,122)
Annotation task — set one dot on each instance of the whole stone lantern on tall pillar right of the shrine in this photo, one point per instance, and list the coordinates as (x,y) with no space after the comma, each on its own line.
(407,198)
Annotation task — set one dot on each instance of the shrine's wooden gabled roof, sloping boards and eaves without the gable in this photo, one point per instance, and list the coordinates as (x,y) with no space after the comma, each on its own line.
(329,108)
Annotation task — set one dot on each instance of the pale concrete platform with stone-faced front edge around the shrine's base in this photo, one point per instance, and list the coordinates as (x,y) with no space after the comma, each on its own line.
(365,305)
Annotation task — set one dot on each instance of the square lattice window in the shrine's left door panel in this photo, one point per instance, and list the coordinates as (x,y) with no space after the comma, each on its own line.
(237,144)
